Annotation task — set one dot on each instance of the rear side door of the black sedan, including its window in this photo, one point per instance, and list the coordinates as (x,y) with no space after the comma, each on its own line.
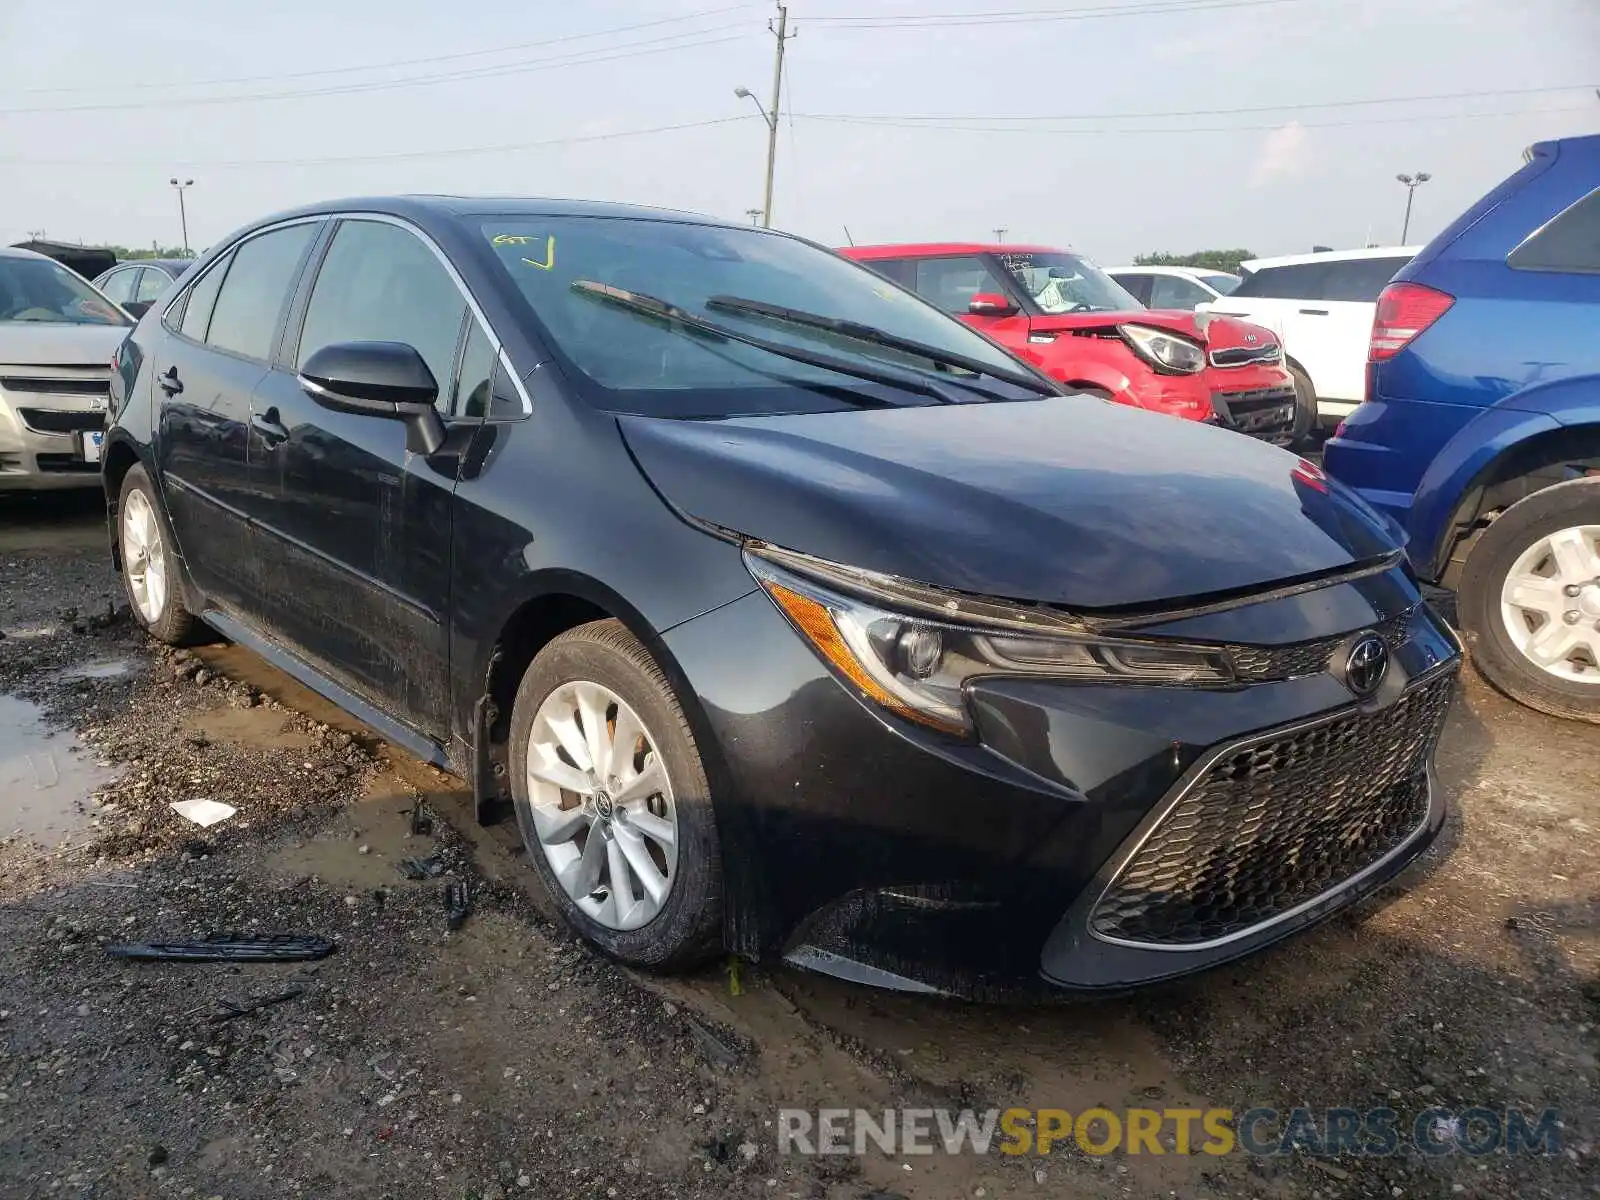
(218,342)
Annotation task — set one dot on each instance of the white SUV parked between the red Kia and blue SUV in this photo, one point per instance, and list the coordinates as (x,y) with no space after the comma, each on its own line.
(1322,310)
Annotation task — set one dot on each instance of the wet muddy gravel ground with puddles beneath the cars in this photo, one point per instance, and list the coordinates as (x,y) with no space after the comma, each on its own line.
(505,1058)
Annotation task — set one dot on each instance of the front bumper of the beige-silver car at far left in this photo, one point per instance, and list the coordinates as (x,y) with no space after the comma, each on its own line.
(42,439)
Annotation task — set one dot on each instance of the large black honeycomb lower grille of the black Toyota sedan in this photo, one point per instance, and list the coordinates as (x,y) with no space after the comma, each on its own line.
(1274,825)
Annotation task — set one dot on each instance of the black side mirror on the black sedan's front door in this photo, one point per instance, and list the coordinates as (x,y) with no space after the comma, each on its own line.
(386,380)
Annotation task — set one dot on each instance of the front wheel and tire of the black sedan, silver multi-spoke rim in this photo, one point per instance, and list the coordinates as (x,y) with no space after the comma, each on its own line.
(578,839)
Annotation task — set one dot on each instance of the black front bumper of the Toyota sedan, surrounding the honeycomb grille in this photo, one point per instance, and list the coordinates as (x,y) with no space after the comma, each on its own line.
(863,847)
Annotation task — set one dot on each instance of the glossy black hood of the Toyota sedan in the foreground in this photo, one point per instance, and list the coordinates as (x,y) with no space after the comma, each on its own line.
(1066,500)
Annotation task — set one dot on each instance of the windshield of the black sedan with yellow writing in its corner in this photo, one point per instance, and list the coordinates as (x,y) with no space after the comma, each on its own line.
(628,361)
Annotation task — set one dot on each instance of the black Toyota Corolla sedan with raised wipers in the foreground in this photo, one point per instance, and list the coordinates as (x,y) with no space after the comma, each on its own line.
(791,617)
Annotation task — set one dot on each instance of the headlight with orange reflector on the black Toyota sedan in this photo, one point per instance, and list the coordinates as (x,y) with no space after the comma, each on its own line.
(913,650)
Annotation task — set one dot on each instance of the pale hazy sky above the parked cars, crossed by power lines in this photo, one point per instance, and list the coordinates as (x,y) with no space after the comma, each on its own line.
(1158,159)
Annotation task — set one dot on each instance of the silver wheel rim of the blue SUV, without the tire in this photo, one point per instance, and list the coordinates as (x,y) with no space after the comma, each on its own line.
(1551,604)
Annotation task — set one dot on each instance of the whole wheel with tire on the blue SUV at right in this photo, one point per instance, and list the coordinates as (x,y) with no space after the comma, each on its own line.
(1518,545)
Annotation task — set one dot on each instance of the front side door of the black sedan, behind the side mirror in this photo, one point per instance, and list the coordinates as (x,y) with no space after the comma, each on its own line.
(356,537)
